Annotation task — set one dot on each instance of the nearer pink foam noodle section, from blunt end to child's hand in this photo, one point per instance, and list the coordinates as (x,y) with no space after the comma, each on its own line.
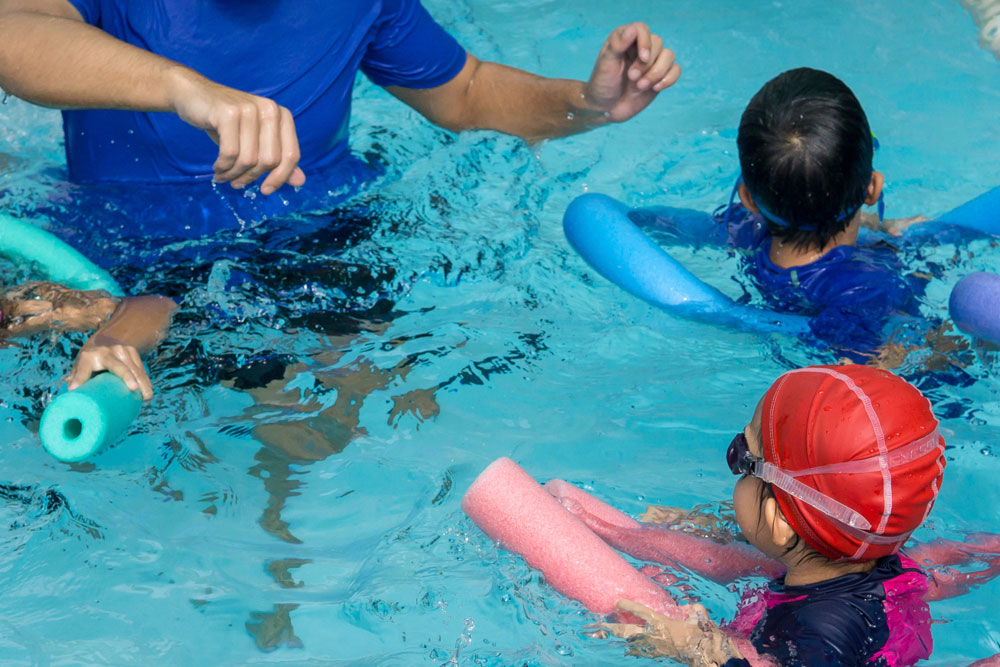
(513,509)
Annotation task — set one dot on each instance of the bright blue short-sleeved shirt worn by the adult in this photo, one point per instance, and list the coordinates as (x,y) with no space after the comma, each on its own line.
(303,54)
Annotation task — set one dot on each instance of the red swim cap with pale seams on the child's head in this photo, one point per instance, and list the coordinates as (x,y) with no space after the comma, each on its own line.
(877,424)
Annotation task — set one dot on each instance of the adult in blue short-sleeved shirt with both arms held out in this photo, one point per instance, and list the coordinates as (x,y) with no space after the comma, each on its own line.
(269,82)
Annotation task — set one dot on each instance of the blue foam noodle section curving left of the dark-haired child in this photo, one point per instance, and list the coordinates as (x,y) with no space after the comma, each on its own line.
(599,229)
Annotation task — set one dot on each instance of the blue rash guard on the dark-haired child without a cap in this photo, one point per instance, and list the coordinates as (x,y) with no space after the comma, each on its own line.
(849,293)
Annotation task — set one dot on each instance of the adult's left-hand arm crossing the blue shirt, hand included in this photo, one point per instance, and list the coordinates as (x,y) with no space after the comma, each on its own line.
(51,57)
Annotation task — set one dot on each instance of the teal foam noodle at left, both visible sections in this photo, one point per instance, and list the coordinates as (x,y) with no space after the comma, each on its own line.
(81,422)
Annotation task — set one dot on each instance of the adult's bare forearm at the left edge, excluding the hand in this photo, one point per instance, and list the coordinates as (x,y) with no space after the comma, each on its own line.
(64,63)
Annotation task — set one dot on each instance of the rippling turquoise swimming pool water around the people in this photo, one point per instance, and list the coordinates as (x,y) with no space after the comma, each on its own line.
(437,321)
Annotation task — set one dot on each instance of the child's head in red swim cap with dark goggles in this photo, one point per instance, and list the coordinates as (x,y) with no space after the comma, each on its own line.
(846,459)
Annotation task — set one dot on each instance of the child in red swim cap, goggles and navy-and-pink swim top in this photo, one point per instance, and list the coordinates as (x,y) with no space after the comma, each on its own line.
(839,465)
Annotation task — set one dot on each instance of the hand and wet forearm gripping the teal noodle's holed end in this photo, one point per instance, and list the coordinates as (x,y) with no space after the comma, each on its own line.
(136,327)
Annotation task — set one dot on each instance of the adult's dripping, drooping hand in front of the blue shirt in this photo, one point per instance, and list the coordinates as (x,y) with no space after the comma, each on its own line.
(255,135)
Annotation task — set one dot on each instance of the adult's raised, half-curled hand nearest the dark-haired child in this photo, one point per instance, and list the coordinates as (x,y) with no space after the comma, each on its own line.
(631,70)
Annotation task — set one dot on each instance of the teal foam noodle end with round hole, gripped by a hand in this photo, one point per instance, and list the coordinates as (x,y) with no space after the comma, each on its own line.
(84,421)
